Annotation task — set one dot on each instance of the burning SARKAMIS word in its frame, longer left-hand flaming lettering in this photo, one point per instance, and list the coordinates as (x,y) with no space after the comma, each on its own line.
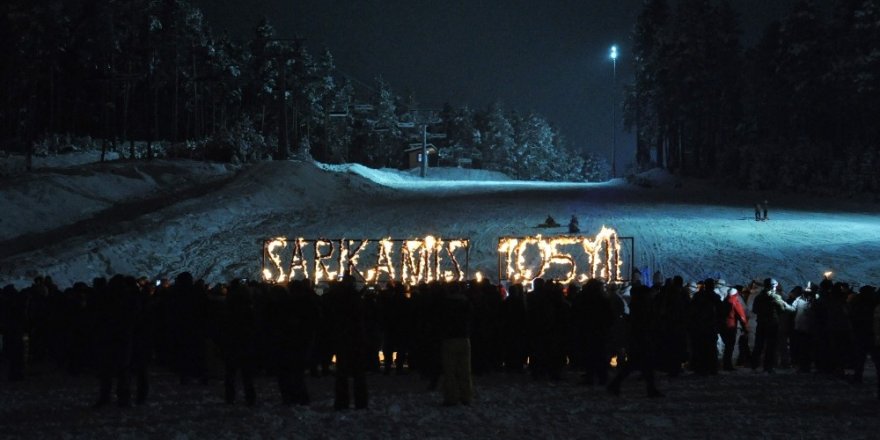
(371,261)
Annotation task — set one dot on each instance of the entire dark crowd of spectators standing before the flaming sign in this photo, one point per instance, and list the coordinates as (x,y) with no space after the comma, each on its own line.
(122,327)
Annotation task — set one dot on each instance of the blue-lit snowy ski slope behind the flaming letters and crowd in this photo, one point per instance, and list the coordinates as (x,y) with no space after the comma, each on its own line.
(158,218)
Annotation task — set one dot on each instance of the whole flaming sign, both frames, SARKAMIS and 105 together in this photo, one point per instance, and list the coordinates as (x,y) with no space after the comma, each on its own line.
(423,260)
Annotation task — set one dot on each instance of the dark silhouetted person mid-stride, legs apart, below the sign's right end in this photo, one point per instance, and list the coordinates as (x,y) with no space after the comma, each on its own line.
(640,342)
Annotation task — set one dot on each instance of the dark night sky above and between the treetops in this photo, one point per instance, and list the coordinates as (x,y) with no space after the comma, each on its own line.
(549,56)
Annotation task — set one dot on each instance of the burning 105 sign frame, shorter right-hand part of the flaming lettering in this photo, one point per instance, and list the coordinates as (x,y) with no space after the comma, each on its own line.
(564,258)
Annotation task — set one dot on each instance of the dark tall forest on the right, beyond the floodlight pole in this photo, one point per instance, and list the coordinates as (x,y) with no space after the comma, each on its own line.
(797,111)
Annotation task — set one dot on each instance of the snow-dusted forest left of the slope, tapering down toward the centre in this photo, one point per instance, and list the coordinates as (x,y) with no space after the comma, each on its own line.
(149,78)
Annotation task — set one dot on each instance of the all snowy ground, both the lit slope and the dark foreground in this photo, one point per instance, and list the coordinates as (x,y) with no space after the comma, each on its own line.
(161,217)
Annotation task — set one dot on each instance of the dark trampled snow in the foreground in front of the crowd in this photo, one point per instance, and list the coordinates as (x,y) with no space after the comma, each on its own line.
(738,405)
